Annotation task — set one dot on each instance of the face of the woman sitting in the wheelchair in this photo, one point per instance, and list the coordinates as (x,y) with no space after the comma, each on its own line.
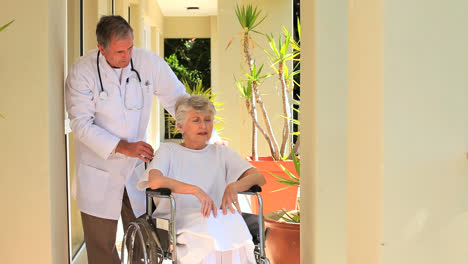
(197,129)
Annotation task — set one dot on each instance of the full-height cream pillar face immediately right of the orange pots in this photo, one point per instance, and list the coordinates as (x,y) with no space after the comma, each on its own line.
(324,96)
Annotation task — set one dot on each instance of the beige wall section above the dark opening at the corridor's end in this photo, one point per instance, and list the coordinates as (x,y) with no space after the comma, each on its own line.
(187,27)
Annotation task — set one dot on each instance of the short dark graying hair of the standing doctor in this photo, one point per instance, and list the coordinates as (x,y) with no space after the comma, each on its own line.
(109,27)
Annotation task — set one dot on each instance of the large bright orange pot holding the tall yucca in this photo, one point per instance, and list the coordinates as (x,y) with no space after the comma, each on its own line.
(274,201)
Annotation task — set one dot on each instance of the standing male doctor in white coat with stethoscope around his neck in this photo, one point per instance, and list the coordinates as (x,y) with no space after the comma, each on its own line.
(109,93)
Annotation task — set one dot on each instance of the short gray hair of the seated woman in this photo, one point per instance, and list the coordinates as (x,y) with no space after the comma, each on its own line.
(195,102)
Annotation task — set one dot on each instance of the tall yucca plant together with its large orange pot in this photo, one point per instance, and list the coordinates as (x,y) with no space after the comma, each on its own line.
(282,50)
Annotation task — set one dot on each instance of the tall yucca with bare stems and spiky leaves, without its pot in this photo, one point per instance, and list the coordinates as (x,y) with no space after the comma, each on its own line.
(283,50)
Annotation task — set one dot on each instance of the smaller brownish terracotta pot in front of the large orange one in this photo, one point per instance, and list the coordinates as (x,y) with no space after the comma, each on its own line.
(282,243)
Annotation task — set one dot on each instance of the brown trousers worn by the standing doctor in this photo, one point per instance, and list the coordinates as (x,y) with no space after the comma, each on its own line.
(99,234)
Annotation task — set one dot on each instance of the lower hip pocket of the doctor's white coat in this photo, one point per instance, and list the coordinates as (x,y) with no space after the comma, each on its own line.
(92,183)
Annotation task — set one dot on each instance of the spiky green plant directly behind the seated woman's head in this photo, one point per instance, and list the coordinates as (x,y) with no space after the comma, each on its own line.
(198,89)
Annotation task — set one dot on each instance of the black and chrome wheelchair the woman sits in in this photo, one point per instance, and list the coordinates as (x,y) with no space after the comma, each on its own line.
(157,236)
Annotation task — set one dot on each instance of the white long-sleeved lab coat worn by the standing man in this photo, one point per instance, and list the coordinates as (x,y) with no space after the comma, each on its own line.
(99,124)
